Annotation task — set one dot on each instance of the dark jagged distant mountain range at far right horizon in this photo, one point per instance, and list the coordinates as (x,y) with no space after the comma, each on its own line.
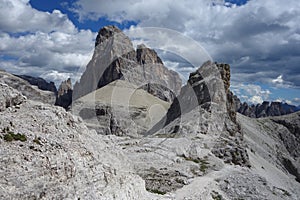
(265,109)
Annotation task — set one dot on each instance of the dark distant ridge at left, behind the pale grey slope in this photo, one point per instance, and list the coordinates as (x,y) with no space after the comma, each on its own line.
(39,82)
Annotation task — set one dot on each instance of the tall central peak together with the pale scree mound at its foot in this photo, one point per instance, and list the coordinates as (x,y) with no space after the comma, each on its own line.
(115,60)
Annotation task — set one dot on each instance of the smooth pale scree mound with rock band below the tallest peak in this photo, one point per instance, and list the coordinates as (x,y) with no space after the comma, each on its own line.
(120,108)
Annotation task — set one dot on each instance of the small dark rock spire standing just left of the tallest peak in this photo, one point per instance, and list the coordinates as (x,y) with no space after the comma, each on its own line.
(64,94)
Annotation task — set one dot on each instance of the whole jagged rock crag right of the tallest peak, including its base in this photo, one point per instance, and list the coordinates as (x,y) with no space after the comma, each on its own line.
(205,106)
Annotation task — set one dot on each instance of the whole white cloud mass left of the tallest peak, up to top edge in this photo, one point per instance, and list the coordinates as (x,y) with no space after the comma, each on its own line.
(41,43)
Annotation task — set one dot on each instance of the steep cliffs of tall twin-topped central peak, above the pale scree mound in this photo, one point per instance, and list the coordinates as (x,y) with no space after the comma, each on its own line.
(115,58)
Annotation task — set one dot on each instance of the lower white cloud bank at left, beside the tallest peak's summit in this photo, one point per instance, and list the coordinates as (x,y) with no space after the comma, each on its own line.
(58,51)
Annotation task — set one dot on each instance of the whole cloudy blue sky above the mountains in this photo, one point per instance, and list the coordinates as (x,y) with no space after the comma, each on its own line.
(259,39)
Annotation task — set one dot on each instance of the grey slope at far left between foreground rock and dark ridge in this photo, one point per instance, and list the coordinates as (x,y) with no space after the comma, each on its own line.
(30,91)
